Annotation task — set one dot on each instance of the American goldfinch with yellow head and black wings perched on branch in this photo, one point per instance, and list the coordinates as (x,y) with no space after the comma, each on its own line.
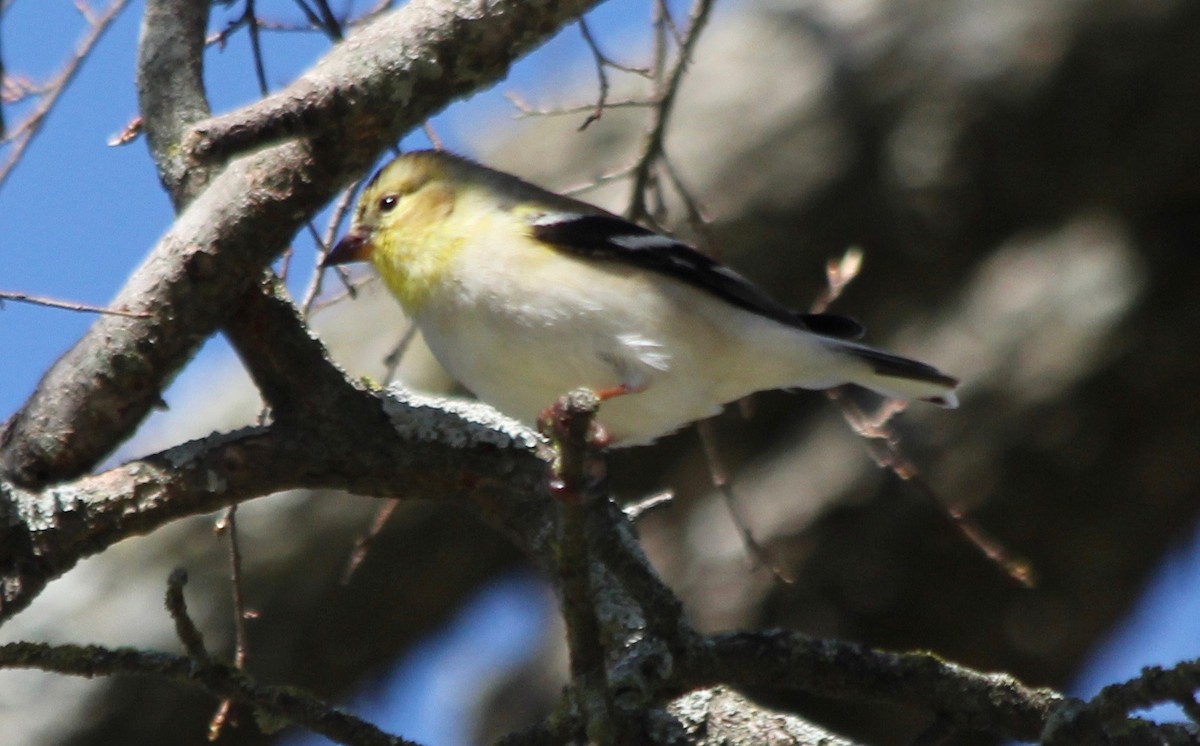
(524,296)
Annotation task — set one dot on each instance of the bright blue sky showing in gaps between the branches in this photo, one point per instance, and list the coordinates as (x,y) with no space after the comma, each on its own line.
(77,216)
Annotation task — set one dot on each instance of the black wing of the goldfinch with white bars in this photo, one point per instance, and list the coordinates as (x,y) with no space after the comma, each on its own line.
(608,237)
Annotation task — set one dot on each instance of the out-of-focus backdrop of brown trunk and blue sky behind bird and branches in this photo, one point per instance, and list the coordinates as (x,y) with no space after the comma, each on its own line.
(1023,179)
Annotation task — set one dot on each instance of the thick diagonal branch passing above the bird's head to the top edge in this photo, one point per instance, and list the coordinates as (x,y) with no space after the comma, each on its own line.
(380,83)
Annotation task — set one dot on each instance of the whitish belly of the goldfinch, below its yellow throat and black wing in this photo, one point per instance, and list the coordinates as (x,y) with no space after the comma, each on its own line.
(674,345)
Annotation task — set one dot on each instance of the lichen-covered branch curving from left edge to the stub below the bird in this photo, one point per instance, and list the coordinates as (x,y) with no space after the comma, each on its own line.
(424,448)
